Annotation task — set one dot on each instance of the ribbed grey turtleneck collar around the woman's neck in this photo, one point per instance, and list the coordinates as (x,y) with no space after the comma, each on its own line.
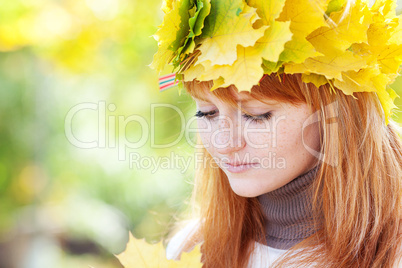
(288,212)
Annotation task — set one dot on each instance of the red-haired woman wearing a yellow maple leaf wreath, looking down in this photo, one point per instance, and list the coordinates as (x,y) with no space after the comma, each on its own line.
(304,164)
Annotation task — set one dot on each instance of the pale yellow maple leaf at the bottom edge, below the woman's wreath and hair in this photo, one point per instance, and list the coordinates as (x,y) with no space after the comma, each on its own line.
(140,254)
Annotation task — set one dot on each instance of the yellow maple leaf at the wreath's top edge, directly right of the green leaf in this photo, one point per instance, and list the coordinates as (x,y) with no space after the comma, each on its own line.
(229,24)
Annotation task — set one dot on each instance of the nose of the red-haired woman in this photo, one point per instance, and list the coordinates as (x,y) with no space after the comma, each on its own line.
(228,137)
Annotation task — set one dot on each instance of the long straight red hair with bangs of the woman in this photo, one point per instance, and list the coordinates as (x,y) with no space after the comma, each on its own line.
(357,202)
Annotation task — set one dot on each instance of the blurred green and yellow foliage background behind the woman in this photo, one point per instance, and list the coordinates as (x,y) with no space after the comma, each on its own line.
(75,89)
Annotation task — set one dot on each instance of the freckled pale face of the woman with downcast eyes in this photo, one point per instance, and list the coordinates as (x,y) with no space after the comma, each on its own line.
(261,147)
